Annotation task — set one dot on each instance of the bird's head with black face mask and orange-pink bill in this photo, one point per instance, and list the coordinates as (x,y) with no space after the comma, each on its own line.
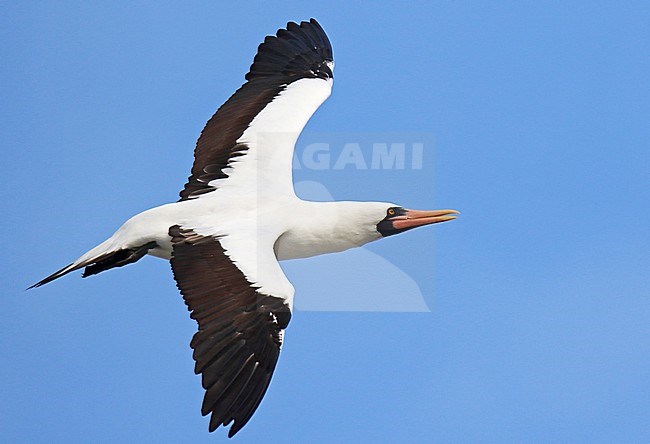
(396,219)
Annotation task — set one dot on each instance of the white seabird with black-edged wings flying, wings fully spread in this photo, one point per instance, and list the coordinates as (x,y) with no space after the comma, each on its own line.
(238,215)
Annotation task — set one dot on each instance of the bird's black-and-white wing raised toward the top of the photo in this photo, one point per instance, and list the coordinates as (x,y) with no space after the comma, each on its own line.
(250,139)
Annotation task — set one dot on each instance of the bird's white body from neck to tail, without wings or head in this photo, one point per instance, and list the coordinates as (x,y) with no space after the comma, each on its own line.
(308,228)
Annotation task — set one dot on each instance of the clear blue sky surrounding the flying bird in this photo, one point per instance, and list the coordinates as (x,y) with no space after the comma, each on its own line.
(539,329)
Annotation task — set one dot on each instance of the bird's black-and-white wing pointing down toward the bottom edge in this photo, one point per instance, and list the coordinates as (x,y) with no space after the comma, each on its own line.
(240,324)
